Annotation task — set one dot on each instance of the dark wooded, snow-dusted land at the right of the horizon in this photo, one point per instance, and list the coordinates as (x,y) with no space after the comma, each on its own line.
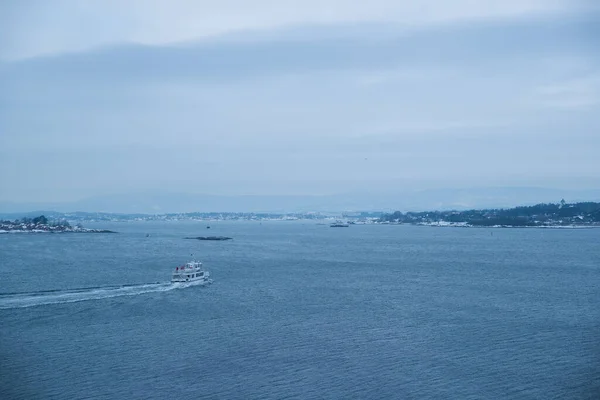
(586,214)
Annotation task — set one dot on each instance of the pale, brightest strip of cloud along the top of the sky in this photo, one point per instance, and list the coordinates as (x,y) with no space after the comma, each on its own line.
(31,28)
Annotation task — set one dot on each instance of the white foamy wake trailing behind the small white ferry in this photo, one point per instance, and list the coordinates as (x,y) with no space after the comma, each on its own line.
(46,297)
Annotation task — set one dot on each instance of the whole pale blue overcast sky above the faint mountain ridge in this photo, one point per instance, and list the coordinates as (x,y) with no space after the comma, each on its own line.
(305,97)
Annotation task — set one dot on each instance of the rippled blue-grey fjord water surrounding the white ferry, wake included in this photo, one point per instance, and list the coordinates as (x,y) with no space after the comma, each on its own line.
(300,310)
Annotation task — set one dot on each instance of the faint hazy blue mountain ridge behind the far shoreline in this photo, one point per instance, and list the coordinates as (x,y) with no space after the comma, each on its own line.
(385,200)
